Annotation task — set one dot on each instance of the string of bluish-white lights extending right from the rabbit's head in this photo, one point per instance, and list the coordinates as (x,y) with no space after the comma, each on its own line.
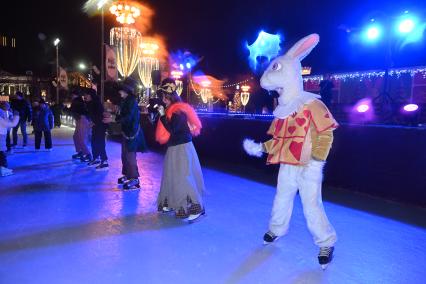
(369,74)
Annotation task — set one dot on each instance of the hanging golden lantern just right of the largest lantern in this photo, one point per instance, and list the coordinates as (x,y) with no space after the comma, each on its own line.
(148,62)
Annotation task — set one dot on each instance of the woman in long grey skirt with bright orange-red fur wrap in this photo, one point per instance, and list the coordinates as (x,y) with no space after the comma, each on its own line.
(182,183)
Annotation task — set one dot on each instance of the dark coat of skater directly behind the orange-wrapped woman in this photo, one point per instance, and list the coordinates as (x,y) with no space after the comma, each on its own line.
(131,129)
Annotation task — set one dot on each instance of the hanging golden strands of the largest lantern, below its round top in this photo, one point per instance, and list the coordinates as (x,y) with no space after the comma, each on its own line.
(127,40)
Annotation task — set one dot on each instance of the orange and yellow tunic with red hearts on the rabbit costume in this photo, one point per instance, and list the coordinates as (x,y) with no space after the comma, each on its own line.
(306,134)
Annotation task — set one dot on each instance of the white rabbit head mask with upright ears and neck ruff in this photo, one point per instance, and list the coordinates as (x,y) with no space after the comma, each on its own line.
(284,75)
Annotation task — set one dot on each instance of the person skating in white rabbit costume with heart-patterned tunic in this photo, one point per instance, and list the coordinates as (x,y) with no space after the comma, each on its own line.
(302,133)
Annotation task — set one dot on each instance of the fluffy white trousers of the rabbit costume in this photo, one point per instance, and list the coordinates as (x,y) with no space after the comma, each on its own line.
(307,180)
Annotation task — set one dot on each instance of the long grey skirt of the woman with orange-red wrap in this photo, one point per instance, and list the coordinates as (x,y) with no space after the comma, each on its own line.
(182,183)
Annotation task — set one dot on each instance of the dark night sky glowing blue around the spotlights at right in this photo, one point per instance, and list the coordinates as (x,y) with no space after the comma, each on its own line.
(215,30)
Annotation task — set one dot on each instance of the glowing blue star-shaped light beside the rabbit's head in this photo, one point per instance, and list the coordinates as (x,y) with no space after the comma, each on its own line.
(267,45)
